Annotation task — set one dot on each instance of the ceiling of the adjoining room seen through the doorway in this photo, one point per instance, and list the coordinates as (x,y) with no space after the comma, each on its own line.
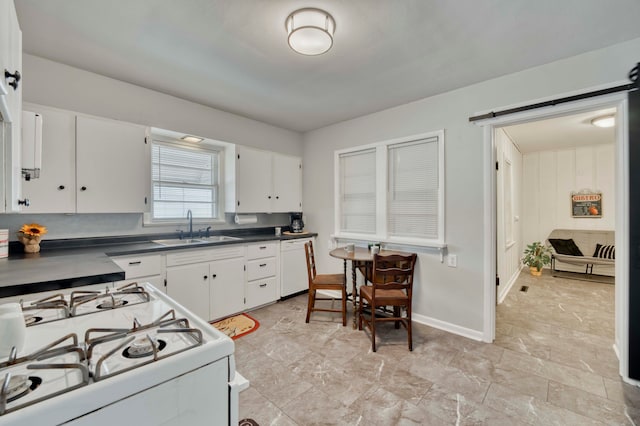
(562,132)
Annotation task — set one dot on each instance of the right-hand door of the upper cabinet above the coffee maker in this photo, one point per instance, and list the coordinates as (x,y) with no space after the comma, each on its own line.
(287,183)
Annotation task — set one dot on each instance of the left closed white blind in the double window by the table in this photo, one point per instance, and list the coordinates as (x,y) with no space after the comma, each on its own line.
(358,192)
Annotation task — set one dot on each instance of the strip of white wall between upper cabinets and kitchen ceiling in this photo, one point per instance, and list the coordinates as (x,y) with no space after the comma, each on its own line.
(53,84)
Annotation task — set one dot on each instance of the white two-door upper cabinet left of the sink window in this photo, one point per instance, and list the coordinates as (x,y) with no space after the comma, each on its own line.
(89,165)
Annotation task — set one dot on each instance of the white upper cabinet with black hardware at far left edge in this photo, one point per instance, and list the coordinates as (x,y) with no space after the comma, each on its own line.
(11,87)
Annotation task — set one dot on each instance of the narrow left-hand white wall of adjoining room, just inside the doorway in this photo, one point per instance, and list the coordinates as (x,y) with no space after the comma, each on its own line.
(508,247)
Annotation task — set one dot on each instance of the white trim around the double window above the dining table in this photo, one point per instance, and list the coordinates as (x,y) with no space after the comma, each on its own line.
(381,234)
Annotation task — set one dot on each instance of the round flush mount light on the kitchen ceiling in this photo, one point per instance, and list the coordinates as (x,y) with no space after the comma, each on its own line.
(310,31)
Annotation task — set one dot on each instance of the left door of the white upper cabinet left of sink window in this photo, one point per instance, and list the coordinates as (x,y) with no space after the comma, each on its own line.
(55,190)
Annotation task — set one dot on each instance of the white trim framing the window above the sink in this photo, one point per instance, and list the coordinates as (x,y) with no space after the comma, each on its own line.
(148,219)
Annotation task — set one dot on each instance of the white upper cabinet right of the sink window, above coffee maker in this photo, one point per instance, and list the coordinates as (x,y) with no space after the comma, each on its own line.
(264,182)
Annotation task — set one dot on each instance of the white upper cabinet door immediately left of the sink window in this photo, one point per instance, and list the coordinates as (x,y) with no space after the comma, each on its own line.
(112,163)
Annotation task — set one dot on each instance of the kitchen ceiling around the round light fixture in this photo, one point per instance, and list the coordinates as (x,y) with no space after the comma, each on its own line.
(233,55)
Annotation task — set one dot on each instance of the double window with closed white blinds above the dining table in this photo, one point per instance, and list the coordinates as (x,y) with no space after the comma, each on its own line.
(392,191)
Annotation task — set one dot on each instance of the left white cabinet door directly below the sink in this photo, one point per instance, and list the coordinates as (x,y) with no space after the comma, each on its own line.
(189,286)
